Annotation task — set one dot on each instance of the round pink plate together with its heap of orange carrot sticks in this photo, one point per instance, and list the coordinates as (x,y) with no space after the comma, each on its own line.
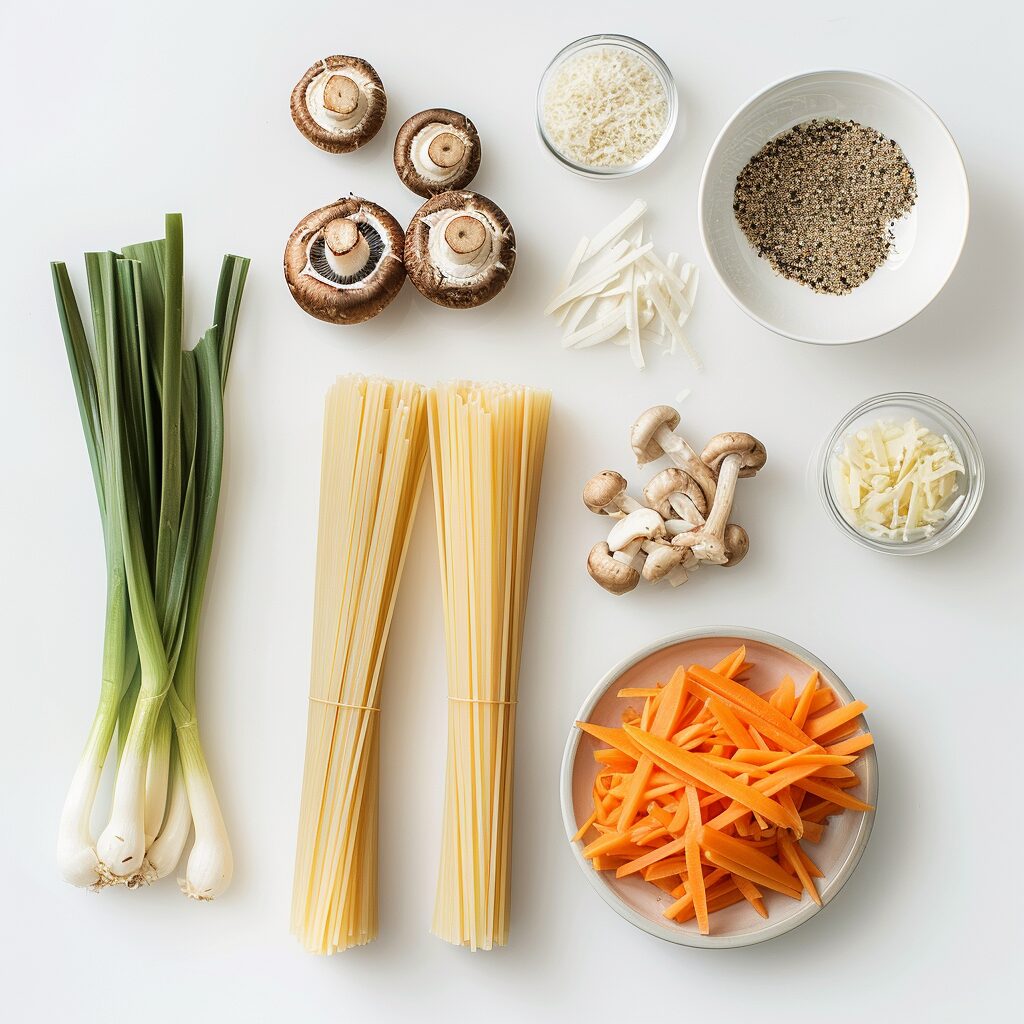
(718,788)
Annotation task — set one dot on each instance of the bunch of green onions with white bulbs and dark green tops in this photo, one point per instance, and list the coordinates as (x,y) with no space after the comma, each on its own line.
(153,418)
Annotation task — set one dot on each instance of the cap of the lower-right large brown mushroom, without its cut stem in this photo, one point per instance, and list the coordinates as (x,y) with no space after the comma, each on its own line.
(471,288)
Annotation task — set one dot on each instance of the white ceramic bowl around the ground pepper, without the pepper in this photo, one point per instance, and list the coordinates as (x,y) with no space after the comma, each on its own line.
(928,241)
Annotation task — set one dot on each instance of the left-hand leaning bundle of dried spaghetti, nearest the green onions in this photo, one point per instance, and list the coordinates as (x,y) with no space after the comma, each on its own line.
(375,445)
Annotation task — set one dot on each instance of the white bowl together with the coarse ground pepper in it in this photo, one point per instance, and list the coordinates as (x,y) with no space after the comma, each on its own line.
(834,206)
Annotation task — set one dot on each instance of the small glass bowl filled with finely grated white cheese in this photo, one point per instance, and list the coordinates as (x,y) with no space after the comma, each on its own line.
(607,106)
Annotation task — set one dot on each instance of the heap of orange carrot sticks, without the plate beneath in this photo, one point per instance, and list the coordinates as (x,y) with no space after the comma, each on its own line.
(707,791)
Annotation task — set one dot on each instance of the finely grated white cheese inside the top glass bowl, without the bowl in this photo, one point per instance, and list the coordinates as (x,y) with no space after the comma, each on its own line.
(605,107)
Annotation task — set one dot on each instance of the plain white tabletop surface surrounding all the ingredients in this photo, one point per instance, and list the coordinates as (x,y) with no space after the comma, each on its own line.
(112,116)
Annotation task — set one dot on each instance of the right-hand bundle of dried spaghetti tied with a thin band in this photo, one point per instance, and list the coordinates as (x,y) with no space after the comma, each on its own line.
(487,450)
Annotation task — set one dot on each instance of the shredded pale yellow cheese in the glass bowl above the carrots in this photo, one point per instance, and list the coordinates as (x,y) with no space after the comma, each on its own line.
(898,482)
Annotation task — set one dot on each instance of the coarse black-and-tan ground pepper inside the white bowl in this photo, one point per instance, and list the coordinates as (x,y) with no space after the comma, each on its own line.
(819,203)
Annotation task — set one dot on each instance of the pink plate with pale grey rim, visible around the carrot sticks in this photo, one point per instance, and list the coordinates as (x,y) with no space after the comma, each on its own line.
(641,903)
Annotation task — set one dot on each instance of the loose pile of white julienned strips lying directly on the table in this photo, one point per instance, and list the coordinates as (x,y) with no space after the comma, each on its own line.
(617,289)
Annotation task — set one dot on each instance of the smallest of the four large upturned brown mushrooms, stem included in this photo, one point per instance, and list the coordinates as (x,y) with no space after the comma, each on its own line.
(438,151)
